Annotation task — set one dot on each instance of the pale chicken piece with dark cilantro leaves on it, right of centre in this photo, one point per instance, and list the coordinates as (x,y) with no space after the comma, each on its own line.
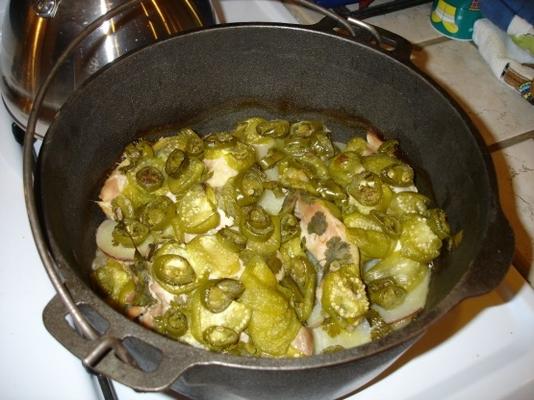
(325,236)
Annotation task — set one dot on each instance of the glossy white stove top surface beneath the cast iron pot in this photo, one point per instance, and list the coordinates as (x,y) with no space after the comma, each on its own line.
(483,348)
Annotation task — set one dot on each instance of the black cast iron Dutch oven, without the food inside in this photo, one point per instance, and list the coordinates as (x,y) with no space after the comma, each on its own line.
(209,79)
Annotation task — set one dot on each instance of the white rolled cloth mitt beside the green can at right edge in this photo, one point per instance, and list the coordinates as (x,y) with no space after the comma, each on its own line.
(509,63)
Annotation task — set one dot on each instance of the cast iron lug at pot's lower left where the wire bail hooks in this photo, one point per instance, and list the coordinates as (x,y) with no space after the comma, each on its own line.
(102,355)
